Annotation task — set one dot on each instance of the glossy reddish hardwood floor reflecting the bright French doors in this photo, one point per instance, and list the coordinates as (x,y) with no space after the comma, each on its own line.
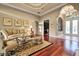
(60,47)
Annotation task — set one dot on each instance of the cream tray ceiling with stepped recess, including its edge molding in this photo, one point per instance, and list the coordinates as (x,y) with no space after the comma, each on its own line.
(35,8)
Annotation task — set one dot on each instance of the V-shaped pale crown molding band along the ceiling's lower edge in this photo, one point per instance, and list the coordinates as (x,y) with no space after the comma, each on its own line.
(31,12)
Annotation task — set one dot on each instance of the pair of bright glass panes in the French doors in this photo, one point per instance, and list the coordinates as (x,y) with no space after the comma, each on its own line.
(71,27)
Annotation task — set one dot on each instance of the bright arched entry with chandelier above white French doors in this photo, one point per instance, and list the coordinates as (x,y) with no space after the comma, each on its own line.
(70,20)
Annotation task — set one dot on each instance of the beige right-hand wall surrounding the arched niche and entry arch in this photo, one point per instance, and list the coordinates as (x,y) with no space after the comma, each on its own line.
(53,20)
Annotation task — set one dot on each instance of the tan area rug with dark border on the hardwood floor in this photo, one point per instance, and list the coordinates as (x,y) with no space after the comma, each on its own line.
(33,49)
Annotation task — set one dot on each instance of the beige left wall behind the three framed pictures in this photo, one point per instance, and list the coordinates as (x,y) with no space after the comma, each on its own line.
(16,14)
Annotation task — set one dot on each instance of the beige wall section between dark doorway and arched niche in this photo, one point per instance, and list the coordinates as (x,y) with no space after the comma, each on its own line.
(53,21)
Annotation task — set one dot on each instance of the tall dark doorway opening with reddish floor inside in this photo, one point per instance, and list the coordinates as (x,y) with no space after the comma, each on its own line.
(46,30)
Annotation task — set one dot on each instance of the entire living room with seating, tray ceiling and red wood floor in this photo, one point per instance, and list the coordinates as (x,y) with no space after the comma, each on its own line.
(30,29)
